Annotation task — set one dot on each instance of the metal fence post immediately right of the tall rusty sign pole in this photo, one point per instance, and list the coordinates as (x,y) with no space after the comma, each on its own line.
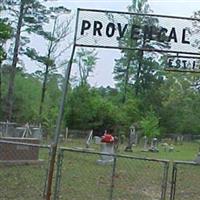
(58,174)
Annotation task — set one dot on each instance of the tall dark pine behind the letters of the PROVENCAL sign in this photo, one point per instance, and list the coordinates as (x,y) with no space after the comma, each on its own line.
(138,70)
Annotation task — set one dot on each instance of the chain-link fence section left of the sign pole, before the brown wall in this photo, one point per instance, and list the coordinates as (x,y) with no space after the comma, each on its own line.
(23,170)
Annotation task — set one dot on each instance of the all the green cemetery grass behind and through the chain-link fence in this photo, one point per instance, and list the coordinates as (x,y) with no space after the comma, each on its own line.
(84,179)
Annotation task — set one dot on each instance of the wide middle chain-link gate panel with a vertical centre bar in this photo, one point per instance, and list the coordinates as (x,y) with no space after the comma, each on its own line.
(126,177)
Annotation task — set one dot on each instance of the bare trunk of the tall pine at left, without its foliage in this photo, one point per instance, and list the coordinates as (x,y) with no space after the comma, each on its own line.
(9,102)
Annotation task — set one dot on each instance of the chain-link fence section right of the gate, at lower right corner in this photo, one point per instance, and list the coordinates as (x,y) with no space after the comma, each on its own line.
(185,181)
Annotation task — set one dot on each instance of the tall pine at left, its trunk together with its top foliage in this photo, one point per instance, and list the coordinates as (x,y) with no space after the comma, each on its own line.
(30,16)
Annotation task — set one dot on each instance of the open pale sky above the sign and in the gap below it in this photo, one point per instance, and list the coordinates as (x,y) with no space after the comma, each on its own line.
(102,75)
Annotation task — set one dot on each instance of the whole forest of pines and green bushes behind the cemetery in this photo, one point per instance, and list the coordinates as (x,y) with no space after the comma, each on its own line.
(156,101)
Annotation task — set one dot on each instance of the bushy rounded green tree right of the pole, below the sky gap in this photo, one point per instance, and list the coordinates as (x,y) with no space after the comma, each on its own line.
(91,111)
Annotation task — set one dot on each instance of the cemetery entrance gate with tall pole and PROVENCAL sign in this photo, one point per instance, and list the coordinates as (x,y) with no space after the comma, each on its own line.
(174,39)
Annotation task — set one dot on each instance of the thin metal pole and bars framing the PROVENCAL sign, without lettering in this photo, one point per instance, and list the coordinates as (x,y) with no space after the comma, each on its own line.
(67,76)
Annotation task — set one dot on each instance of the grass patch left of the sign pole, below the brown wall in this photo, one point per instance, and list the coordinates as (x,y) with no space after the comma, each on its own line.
(23,182)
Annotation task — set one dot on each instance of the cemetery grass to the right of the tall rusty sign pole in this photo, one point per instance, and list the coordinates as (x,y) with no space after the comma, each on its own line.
(133,178)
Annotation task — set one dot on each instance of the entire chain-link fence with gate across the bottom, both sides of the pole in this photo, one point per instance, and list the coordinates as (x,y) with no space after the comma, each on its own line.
(80,176)
